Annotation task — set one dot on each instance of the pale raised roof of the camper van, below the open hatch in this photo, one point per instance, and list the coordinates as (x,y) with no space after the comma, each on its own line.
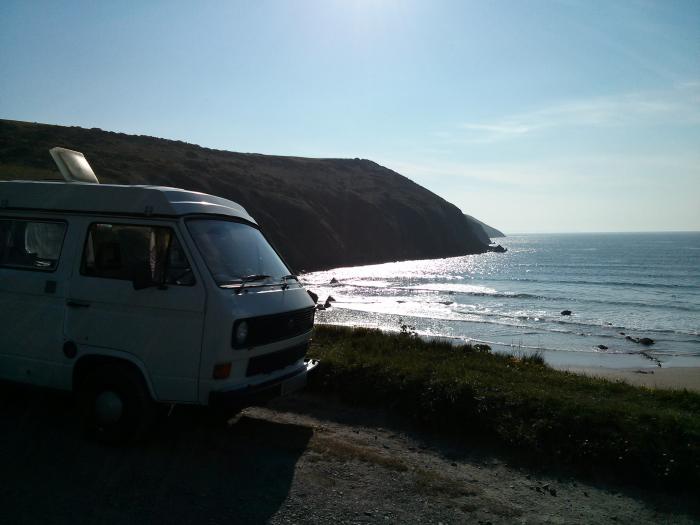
(114,199)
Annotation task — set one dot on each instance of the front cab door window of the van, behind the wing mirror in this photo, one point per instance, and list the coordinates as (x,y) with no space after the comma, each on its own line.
(124,251)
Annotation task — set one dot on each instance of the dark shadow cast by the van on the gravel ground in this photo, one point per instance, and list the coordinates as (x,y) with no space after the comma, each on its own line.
(190,471)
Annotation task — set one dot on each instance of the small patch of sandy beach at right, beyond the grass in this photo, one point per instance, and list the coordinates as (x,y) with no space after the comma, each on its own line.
(676,378)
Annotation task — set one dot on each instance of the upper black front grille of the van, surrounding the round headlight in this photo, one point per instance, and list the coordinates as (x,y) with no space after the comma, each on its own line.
(270,328)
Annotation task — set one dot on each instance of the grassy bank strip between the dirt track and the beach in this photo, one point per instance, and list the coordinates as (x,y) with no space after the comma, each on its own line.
(649,436)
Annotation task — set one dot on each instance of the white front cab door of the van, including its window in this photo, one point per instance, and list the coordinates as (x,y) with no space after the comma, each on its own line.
(160,323)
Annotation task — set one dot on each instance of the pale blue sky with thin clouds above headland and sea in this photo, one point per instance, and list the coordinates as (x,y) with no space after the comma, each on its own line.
(533,116)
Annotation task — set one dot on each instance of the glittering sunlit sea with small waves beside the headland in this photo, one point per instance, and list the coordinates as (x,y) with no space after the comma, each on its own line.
(618,286)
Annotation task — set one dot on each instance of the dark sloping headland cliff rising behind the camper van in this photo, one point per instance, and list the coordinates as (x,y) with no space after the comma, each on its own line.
(319,213)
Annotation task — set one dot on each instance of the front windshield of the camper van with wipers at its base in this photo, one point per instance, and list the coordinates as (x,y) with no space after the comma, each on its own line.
(236,252)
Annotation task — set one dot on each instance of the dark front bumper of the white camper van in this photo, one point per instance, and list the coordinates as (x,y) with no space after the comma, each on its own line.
(262,392)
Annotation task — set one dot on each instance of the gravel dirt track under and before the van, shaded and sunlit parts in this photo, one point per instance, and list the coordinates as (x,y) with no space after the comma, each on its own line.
(301,460)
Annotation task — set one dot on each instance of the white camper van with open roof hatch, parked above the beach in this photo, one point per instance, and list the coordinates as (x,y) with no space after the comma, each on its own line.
(137,295)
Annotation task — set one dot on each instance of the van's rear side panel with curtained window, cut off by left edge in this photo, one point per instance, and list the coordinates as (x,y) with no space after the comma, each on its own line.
(33,275)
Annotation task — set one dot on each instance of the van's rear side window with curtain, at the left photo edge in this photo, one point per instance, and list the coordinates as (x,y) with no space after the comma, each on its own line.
(30,244)
